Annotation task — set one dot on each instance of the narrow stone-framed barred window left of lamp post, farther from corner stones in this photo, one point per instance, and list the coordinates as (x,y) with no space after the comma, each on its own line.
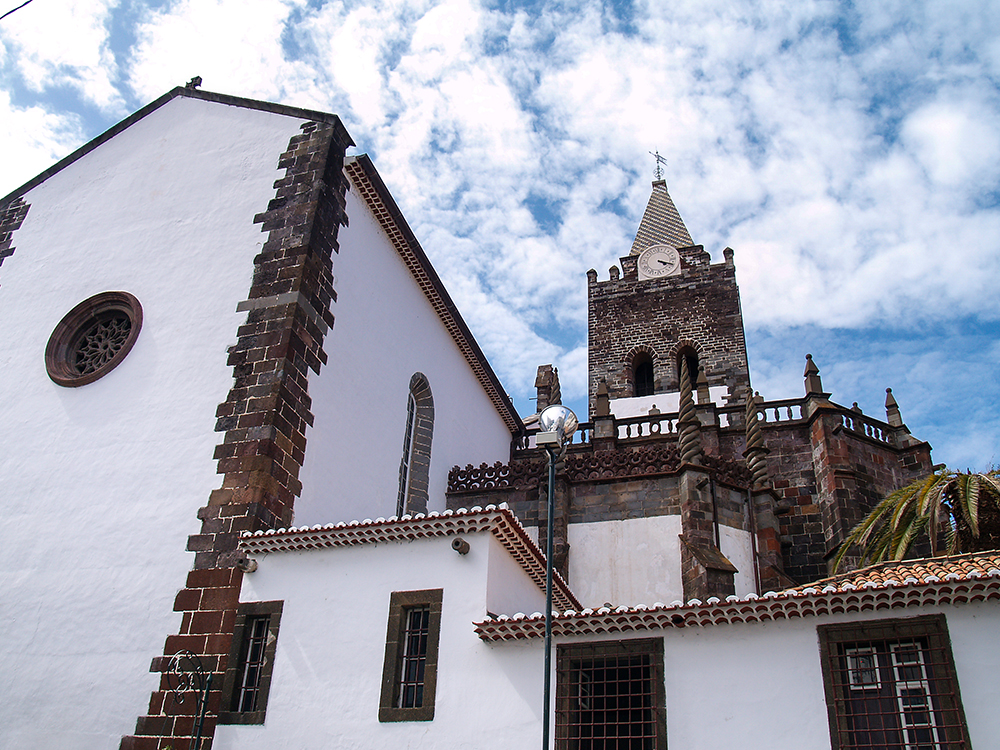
(409,673)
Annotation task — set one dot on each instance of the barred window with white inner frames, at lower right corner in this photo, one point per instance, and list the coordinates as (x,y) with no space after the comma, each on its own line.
(891,684)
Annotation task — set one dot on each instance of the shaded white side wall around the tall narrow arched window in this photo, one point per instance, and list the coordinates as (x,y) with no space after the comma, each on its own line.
(385,331)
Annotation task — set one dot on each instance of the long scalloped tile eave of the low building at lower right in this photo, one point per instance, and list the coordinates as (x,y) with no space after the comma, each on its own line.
(977,581)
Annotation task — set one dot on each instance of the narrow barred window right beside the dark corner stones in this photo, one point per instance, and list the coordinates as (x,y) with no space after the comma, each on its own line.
(247,681)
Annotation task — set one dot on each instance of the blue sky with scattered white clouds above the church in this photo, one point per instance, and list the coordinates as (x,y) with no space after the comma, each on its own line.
(848,152)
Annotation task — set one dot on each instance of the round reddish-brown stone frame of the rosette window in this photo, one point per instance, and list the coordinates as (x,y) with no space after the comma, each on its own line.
(60,353)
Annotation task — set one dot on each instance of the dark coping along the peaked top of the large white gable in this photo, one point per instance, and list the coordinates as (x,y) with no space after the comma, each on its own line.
(191,93)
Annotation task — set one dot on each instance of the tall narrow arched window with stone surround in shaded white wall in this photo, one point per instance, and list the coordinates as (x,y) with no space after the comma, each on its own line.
(414,467)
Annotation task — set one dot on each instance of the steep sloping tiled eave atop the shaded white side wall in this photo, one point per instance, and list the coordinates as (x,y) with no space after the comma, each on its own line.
(369,184)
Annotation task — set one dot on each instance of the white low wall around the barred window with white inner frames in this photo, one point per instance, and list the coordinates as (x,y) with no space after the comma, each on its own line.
(761,684)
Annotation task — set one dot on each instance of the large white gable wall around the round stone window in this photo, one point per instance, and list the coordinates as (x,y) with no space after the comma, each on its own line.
(101,483)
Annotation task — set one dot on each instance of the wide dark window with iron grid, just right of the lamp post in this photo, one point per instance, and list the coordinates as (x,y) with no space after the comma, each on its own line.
(610,696)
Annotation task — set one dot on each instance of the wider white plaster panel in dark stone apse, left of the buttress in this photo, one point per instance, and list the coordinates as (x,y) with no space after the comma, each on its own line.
(638,561)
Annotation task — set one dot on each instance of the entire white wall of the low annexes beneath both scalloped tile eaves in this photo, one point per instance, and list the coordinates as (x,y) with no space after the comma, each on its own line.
(756,686)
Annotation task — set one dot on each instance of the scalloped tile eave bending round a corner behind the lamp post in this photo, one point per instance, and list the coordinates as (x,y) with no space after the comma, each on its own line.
(498,520)
